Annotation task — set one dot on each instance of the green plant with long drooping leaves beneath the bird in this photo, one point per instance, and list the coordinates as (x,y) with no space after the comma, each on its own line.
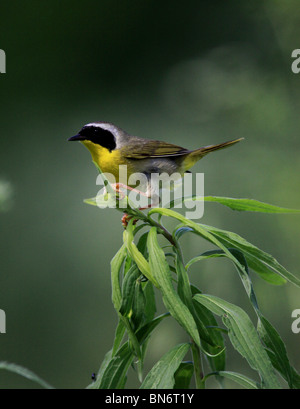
(142,264)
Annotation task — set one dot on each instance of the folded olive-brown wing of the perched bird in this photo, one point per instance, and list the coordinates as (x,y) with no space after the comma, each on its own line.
(142,149)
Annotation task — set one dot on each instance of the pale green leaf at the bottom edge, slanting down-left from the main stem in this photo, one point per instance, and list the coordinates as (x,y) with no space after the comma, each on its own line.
(161,375)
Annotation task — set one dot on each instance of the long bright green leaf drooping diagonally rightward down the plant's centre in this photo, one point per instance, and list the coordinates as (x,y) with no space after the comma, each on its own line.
(160,270)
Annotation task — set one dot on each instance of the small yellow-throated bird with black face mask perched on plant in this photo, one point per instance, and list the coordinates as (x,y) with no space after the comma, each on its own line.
(111,147)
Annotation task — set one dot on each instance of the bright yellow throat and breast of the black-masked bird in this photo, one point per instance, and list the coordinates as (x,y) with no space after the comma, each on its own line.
(108,161)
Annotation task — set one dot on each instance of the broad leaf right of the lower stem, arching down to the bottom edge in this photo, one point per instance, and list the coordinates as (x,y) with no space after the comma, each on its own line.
(243,337)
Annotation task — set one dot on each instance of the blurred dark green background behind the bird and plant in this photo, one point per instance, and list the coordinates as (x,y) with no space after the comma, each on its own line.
(192,73)
